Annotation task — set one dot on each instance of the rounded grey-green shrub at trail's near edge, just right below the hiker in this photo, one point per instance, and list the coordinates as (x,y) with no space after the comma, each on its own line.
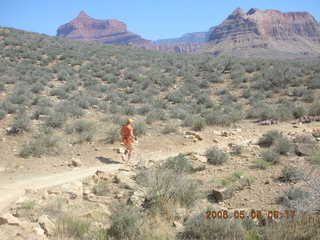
(180,163)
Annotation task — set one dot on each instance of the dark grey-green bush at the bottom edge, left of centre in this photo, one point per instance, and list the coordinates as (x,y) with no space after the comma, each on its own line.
(126,223)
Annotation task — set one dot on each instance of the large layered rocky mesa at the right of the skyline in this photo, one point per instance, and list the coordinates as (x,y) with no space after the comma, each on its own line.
(266,32)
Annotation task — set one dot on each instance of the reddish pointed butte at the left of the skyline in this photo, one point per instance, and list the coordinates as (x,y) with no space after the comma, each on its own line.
(88,29)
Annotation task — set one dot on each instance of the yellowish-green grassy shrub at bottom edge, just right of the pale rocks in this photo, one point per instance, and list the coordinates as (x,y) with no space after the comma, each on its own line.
(69,226)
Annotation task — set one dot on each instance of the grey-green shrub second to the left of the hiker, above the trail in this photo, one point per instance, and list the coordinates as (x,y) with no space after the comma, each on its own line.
(84,128)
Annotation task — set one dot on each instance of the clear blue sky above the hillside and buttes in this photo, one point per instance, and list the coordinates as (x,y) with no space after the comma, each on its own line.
(151,19)
